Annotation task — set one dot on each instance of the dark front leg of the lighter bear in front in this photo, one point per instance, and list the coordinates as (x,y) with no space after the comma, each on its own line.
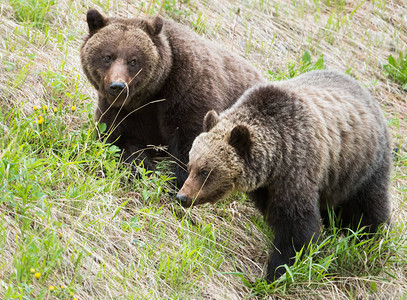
(295,222)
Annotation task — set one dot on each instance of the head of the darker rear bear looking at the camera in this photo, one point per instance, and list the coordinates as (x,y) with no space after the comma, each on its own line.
(126,60)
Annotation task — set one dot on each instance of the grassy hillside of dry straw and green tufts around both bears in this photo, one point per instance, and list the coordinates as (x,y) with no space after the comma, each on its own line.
(75,224)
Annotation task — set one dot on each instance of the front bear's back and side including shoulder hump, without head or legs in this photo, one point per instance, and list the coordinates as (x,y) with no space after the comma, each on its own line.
(322,121)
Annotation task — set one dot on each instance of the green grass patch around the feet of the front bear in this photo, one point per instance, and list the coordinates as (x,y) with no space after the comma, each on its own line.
(342,253)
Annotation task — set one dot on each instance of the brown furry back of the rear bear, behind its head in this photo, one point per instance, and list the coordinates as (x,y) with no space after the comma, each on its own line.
(202,67)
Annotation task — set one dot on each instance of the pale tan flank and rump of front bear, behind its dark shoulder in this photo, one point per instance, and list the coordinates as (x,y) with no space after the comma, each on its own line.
(350,135)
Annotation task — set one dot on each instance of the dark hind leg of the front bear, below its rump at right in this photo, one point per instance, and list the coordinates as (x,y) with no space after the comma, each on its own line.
(370,205)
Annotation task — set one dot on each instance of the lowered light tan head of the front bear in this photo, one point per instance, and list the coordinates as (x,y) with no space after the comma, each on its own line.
(217,161)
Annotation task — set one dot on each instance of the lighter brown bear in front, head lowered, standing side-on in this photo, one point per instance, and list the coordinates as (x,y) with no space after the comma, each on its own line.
(296,147)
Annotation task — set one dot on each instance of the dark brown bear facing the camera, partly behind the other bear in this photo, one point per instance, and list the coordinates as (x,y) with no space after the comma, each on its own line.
(156,80)
